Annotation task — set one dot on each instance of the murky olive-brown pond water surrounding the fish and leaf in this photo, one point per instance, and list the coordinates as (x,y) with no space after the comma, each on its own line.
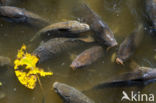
(118,14)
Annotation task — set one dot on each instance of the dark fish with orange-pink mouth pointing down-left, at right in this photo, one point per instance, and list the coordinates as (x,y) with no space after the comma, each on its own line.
(129,45)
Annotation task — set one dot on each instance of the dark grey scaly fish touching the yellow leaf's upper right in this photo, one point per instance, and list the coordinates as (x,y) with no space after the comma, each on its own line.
(51,48)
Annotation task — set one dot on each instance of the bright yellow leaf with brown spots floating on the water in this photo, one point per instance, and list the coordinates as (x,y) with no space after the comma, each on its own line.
(26,70)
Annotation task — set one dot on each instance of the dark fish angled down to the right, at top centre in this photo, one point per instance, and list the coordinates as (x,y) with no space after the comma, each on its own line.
(102,33)
